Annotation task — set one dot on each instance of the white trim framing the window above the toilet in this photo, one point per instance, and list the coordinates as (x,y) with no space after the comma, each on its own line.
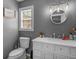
(23,8)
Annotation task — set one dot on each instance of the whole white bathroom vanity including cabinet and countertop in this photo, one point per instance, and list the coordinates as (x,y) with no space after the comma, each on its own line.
(53,48)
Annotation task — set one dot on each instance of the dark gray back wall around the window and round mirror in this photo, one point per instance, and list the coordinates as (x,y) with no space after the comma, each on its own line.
(42,21)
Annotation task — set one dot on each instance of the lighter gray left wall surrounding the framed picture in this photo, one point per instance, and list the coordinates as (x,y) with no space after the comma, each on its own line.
(10,28)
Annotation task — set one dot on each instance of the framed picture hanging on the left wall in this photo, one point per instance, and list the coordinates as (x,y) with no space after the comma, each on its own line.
(9,13)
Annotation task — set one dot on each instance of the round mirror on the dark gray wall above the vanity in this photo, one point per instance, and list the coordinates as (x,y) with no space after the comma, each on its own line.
(58,17)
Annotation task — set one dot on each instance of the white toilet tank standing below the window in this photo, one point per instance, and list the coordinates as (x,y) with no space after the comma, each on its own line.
(24,42)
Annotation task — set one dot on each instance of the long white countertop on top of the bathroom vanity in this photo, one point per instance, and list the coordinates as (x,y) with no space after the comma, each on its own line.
(70,43)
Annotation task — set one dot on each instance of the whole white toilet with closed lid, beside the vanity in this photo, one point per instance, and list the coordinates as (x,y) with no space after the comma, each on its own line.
(20,52)
